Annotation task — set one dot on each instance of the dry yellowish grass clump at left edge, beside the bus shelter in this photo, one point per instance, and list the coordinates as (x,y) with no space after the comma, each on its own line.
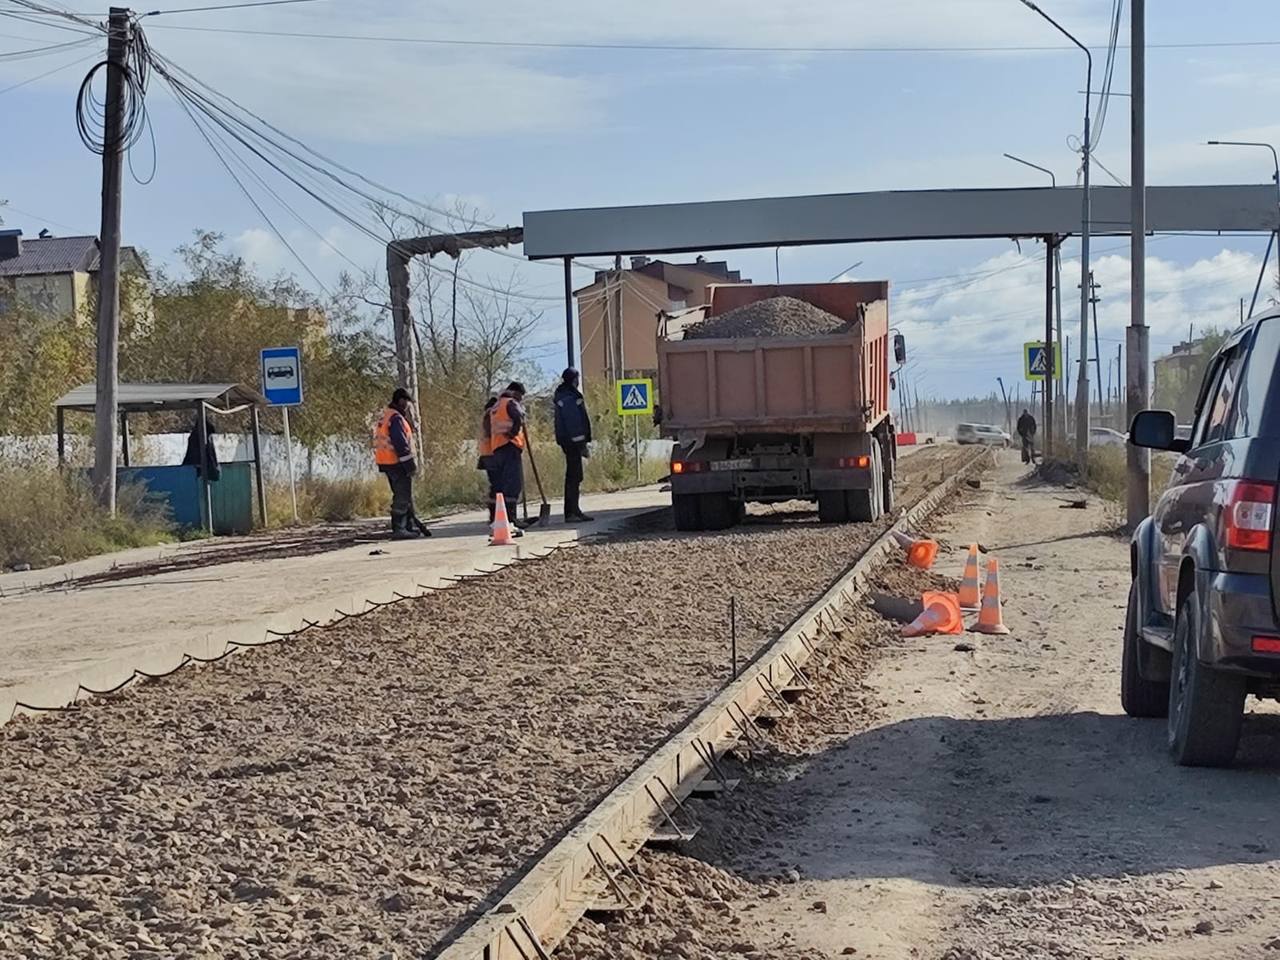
(49,518)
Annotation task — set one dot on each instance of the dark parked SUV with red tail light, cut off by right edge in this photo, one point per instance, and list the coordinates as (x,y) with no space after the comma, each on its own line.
(1203,629)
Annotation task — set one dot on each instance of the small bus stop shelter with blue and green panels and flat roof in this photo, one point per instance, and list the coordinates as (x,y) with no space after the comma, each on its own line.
(190,493)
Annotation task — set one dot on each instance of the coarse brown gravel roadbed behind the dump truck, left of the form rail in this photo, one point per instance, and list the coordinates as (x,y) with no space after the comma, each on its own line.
(363,790)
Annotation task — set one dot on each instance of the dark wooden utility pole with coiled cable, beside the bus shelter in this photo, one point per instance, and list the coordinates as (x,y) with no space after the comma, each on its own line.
(106,414)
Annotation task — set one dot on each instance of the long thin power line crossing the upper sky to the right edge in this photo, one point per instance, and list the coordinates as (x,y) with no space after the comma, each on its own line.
(705,48)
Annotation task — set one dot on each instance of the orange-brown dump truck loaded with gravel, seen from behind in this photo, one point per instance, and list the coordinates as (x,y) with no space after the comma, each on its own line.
(780,410)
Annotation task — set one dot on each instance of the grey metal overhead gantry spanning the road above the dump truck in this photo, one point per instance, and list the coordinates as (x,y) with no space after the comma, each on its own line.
(1045,213)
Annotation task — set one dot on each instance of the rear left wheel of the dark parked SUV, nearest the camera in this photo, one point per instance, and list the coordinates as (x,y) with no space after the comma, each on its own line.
(1206,707)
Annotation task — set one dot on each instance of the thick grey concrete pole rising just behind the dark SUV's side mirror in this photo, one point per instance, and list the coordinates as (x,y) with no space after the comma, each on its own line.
(1137,336)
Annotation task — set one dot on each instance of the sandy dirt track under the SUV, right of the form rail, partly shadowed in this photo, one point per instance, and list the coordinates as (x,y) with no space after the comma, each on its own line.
(984,804)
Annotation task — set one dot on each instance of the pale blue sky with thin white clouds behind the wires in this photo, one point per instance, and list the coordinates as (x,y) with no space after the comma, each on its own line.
(504,125)
